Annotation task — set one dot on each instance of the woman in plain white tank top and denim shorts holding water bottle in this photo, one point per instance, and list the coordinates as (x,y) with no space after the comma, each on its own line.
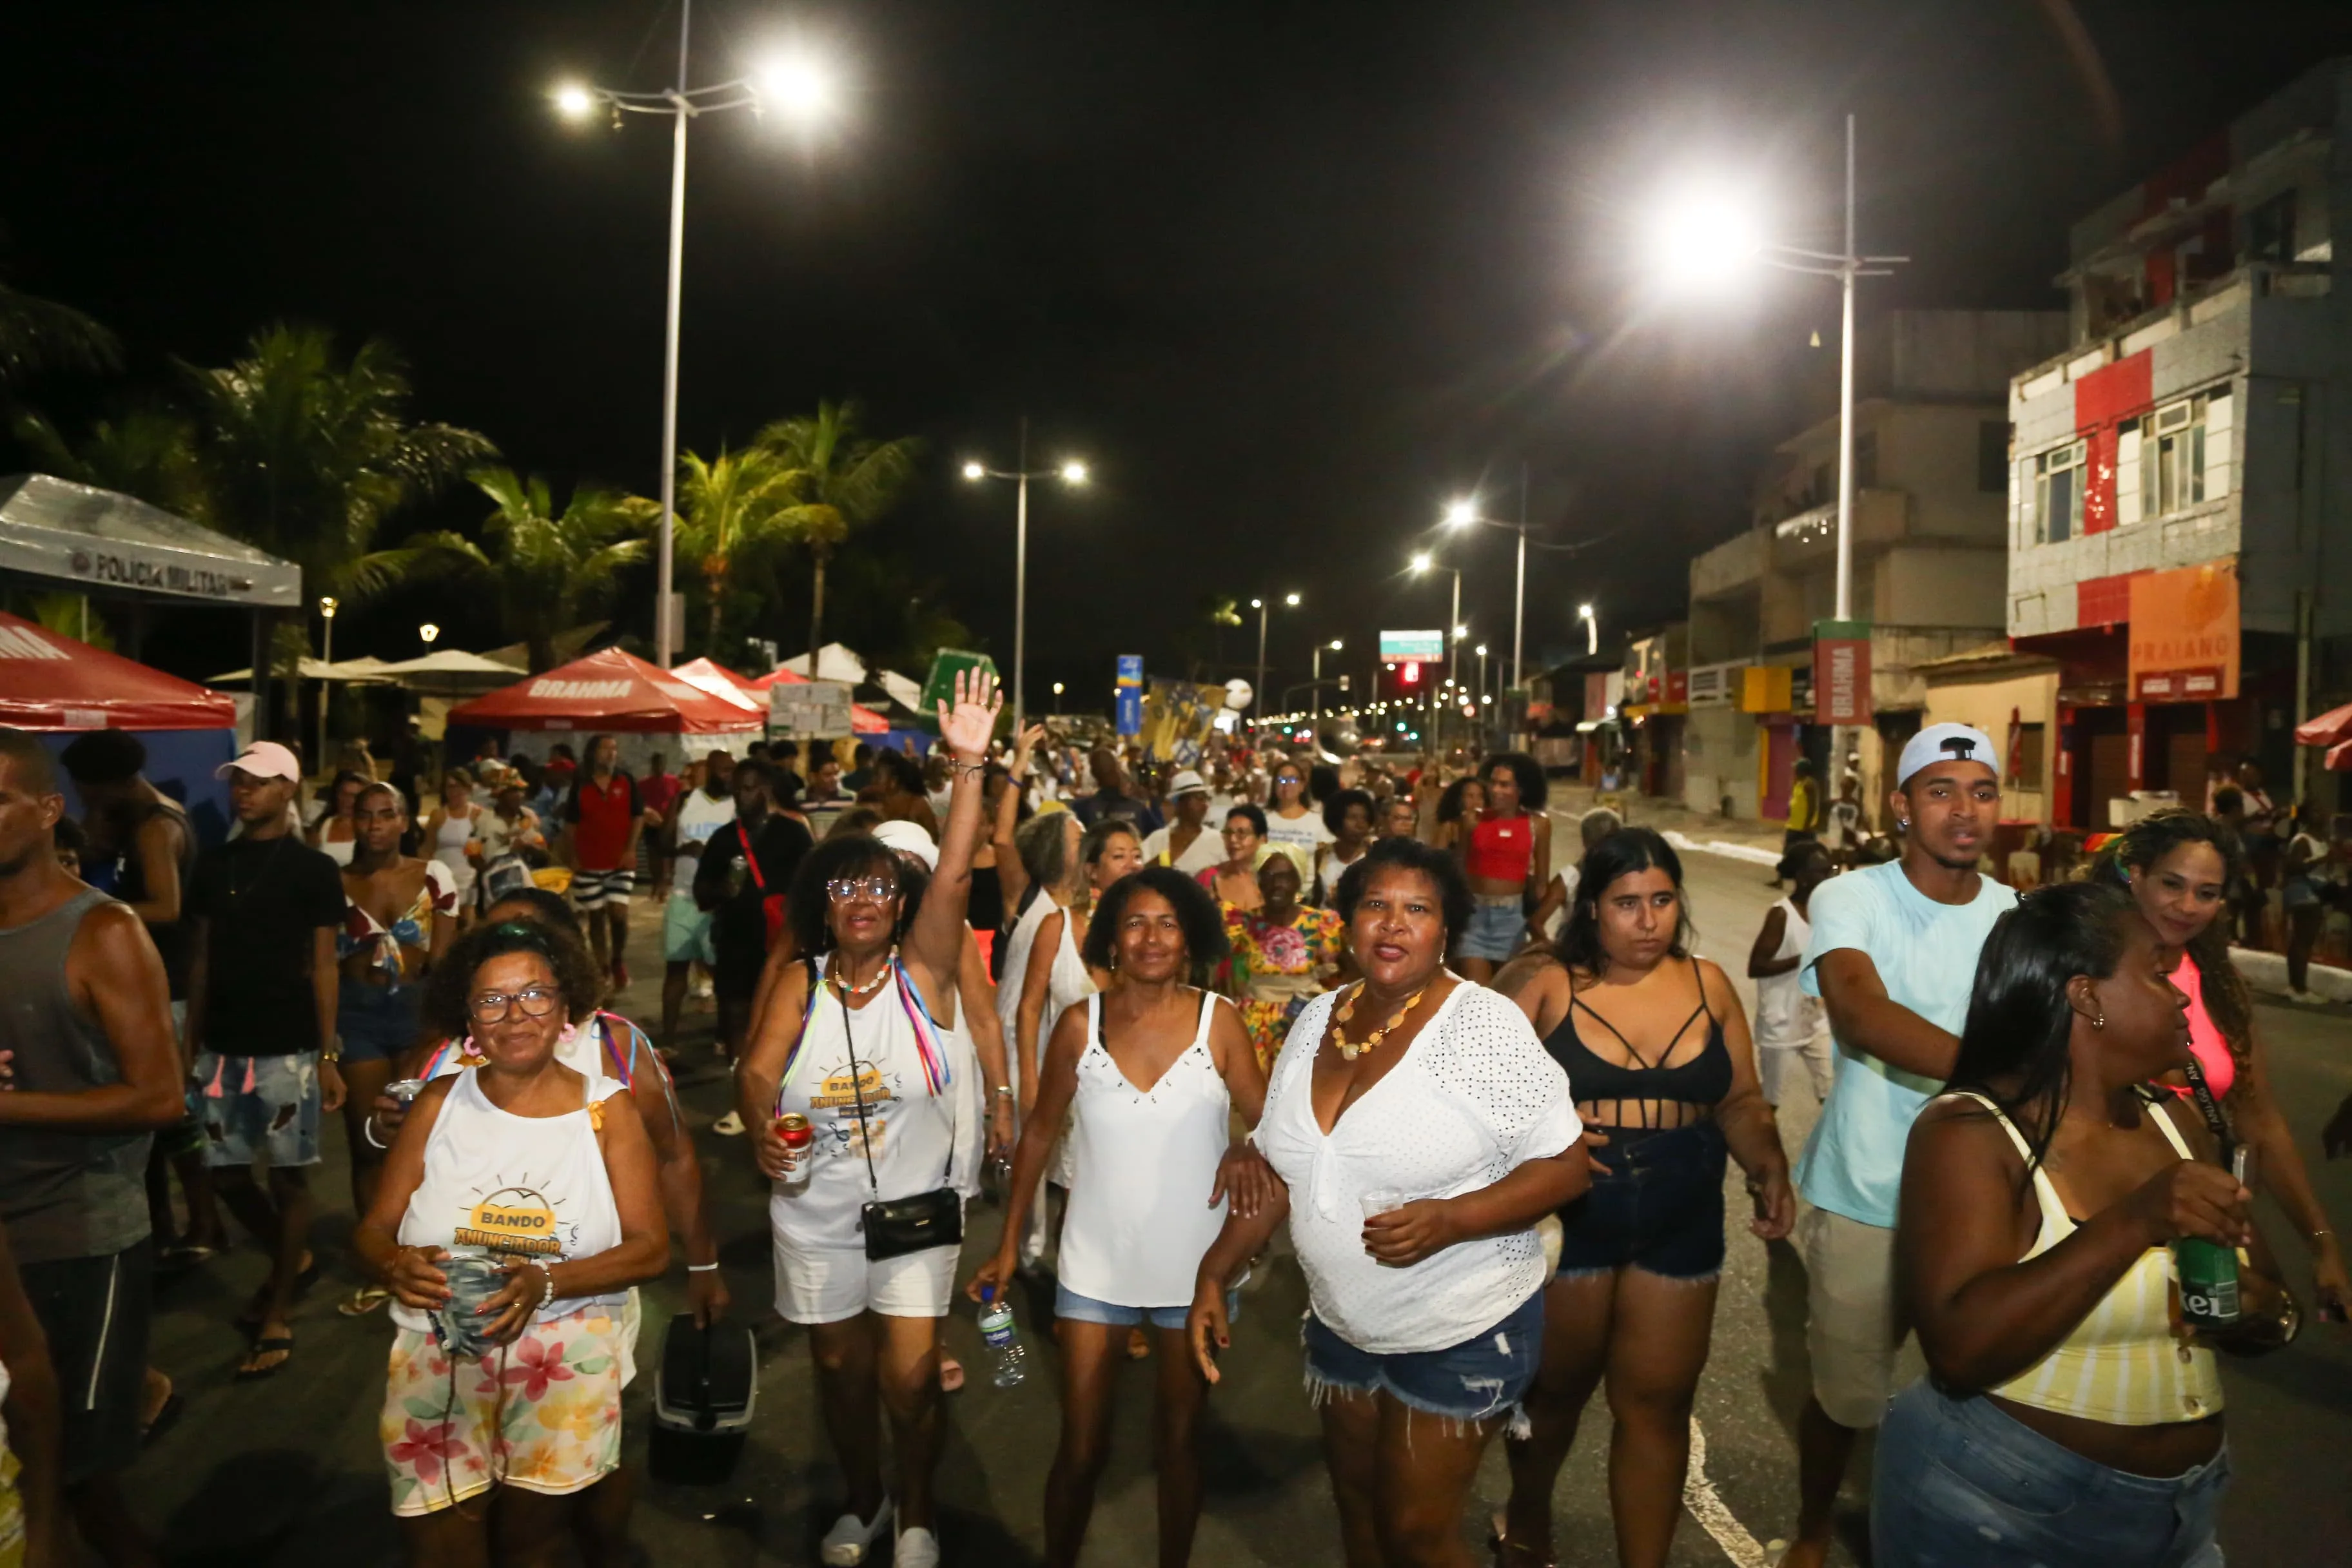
(1149,1076)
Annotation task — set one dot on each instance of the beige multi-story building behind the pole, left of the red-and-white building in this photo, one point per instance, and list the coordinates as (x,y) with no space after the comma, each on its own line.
(1930,537)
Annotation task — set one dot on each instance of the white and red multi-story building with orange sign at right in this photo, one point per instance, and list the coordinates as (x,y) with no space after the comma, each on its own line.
(2181,474)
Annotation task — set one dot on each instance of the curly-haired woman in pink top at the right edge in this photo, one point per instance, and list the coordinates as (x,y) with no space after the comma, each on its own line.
(2181,869)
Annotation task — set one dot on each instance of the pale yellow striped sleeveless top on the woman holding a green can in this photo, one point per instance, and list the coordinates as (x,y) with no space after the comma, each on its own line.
(2123,1362)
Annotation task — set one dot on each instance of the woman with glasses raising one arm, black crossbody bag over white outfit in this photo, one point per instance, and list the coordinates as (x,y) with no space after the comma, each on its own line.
(857,1040)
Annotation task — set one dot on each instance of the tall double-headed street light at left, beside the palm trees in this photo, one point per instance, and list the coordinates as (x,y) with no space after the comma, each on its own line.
(803,91)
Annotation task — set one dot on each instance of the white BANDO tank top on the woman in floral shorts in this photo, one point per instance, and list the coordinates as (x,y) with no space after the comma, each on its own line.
(514,1188)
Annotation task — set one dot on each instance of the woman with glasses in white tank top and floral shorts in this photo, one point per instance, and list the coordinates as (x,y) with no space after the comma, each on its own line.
(516,1209)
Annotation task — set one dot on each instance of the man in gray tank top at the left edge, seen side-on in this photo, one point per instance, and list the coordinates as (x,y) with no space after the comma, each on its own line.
(86,1021)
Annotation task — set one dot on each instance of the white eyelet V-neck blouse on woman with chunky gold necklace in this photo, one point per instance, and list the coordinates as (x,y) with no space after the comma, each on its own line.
(1474,1099)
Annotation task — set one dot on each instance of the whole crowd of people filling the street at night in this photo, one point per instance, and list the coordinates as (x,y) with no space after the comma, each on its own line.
(1267,1005)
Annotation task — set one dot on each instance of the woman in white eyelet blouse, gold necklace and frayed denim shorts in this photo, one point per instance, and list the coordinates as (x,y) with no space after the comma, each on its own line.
(1419,1134)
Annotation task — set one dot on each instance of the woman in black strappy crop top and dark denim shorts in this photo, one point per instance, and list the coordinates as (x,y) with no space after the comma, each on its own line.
(1666,1083)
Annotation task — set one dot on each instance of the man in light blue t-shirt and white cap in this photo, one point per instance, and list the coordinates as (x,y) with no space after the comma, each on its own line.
(1892,958)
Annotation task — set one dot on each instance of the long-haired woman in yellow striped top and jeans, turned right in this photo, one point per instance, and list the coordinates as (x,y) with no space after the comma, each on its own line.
(2066,1421)
